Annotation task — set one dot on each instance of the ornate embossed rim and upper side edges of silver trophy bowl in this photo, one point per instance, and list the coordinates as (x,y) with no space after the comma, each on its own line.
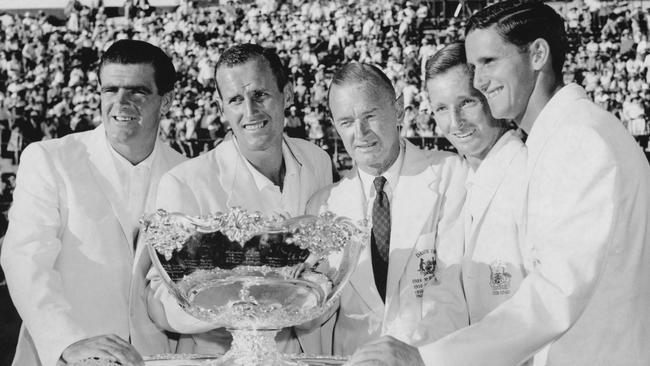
(322,234)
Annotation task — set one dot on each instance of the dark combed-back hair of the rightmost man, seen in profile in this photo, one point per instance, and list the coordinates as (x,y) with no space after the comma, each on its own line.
(520,22)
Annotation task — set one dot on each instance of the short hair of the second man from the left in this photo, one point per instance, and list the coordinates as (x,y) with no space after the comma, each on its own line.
(241,53)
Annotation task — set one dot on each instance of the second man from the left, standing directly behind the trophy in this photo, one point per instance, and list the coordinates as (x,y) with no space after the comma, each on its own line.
(258,168)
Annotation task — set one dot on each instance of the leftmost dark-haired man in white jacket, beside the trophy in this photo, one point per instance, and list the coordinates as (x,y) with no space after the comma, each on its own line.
(69,252)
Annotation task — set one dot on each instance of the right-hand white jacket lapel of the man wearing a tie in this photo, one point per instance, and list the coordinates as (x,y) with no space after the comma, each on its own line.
(412,204)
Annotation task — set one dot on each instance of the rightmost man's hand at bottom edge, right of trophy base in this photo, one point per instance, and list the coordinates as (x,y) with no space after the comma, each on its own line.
(386,351)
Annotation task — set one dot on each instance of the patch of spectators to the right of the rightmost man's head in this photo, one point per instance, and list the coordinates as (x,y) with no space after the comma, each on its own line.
(609,58)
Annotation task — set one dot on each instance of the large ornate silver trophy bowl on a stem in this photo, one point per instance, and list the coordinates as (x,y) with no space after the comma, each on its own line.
(252,274)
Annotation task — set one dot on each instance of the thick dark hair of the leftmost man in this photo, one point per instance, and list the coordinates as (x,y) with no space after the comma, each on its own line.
(128,51)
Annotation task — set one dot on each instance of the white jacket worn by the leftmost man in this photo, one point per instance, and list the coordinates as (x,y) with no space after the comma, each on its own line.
(68,254)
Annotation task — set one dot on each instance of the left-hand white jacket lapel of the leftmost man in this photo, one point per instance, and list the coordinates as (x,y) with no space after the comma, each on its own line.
(103,169)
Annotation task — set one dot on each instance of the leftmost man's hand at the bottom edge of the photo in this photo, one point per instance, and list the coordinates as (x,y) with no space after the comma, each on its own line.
(107,347)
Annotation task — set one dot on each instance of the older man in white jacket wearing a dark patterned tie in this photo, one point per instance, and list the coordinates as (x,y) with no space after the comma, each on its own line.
(410,268)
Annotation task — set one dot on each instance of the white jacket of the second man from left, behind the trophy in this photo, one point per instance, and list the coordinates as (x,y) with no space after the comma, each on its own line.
(215,182)
